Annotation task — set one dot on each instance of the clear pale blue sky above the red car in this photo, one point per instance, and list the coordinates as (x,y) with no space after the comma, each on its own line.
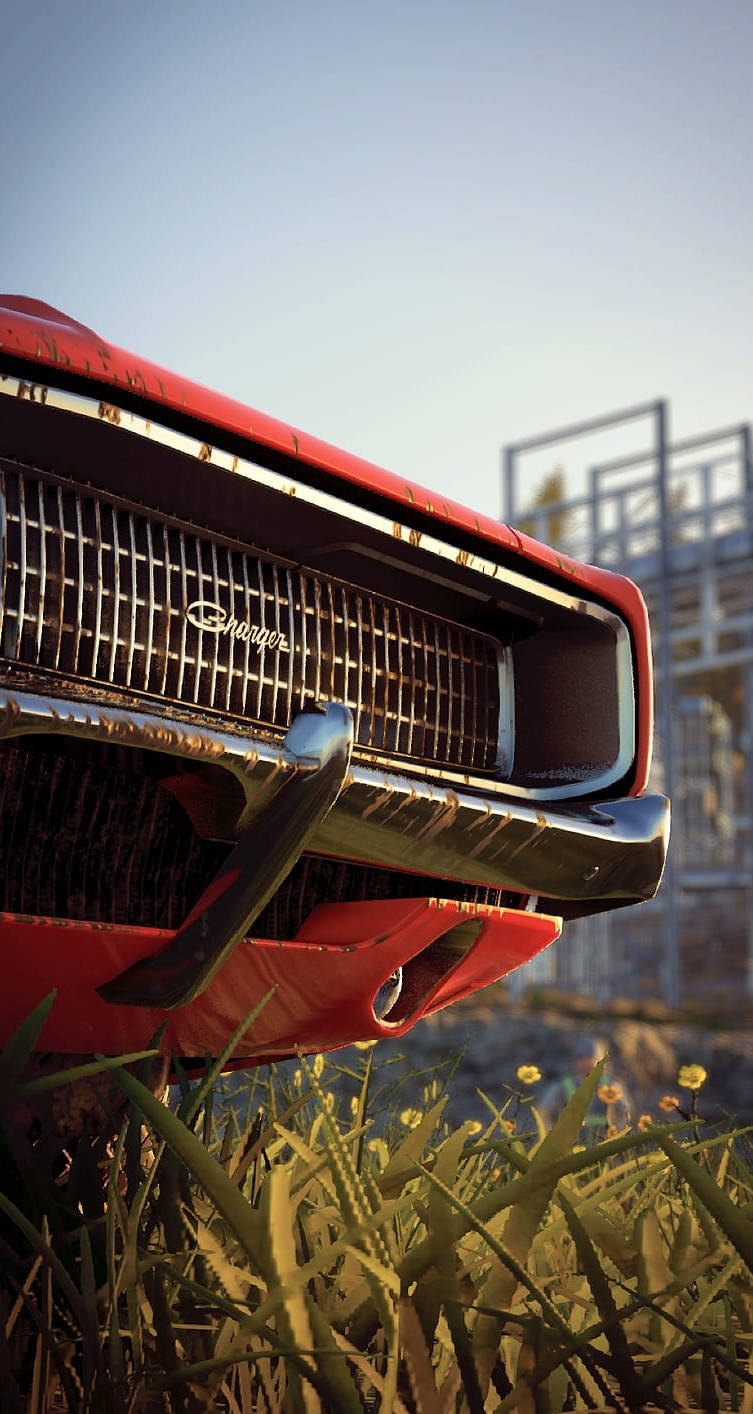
(416,230)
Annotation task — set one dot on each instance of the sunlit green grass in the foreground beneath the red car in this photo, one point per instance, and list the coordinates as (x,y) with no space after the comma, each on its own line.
(275,1249)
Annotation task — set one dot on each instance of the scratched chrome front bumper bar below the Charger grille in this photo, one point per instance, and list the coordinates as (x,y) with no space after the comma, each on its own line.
(587,855)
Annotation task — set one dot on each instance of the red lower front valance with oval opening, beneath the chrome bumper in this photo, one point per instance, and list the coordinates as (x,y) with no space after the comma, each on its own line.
(324,982)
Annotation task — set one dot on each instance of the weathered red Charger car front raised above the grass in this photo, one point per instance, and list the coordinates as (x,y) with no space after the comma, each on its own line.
(276,720)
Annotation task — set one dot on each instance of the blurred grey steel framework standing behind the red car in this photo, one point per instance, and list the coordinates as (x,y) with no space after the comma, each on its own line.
(679,520)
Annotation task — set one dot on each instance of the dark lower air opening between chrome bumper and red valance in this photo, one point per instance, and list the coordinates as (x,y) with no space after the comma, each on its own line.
(90,838)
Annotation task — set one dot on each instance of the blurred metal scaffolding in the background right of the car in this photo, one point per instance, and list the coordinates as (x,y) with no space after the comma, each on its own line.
(679,520)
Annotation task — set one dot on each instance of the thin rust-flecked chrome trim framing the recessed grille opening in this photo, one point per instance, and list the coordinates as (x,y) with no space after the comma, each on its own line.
(444,551)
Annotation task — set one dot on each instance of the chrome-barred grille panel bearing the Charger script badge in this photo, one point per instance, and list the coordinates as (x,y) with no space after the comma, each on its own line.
(95,589)
